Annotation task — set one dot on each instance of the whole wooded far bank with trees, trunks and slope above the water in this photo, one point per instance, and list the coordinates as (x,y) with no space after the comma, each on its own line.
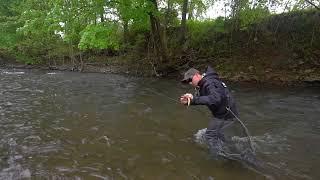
(152,37)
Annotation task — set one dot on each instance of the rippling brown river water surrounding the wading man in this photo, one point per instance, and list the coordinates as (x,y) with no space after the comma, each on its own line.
(60,125)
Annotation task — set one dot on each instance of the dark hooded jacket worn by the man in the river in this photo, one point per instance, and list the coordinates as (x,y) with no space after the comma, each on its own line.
(215,95)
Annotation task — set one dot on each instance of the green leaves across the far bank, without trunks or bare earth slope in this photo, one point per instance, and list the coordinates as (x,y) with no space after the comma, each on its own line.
(37,31)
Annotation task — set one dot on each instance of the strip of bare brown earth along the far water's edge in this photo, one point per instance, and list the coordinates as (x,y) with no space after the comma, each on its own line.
(246,74)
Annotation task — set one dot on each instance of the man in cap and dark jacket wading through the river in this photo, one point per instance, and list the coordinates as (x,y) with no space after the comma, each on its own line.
(213,93)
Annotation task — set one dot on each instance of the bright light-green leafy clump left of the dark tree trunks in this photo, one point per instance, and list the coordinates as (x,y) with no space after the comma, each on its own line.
(99,37)
